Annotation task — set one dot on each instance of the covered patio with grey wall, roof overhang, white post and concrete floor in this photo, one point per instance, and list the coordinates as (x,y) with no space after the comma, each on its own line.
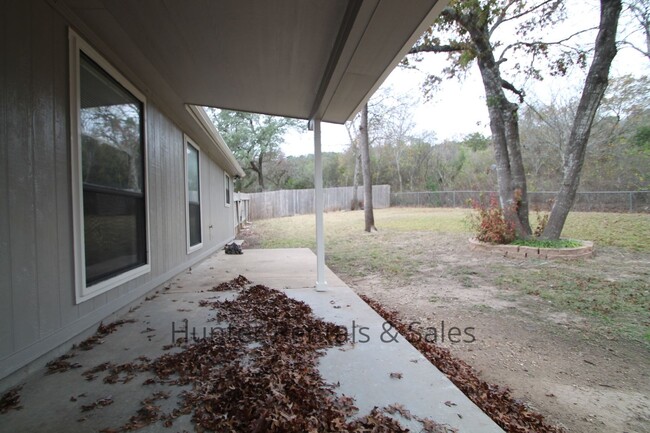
(319,61)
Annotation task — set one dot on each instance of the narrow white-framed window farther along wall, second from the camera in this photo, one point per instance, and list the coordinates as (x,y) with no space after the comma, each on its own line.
(193,191)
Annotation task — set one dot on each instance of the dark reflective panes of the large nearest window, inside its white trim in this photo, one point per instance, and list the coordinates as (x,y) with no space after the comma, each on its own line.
(112,170)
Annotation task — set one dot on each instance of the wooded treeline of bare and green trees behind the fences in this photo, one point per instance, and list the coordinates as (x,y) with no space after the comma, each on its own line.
(618,153)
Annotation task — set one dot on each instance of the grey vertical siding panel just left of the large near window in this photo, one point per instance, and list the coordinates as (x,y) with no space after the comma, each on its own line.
(44,169)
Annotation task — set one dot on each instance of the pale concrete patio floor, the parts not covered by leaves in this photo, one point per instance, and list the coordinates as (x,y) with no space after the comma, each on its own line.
(53,403)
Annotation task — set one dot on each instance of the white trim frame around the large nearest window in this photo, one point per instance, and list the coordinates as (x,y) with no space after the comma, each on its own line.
(82,292)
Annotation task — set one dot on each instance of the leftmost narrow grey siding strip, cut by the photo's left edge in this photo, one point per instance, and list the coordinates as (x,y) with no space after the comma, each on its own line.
(6,303)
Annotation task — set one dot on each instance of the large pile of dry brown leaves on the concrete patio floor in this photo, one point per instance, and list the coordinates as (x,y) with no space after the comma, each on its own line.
(257,373)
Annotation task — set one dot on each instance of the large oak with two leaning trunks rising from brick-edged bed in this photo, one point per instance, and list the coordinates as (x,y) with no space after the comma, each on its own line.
(470,27)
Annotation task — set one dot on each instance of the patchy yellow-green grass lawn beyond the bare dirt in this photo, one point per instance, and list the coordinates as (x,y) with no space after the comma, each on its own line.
(610,288)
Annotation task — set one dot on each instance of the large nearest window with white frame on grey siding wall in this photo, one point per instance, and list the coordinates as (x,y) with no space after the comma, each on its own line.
(109,162)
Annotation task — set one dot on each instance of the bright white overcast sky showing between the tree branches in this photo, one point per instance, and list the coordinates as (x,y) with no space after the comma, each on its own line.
(458,108)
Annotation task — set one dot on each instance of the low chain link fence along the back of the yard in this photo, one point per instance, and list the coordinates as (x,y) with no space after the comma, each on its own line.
(591,201)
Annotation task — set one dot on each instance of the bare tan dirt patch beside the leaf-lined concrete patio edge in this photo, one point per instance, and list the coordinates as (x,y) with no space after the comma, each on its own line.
(571,368)
